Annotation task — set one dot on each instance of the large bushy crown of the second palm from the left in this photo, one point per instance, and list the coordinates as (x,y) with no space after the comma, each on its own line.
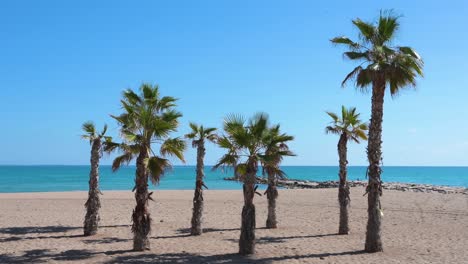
(148,118)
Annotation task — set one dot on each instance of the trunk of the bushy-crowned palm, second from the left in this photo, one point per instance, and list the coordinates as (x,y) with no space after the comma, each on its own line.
(141,217)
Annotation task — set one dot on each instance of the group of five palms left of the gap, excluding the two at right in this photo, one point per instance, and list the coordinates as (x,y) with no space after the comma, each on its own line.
(148,120)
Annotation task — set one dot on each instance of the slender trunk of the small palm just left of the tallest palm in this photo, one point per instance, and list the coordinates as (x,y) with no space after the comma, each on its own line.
(343,189)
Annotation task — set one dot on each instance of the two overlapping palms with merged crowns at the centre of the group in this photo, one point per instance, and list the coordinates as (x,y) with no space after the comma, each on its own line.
(248,144)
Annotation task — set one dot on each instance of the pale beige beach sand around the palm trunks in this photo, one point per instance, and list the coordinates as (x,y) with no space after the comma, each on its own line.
(417,228)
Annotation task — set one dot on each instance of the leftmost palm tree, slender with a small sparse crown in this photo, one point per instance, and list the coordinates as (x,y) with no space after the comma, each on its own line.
(93,203)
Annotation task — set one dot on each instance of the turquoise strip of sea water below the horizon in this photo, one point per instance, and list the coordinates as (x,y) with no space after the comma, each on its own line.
(74,178)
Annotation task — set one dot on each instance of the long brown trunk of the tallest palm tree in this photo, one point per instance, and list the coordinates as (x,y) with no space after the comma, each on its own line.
(374,154)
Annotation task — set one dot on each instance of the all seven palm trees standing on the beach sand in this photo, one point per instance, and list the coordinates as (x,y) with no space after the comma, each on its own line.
(149,119)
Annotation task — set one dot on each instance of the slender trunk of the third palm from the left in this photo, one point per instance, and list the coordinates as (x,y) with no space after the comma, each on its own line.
(198,196)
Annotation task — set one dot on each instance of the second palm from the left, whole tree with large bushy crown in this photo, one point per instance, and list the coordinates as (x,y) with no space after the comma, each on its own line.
(147,119)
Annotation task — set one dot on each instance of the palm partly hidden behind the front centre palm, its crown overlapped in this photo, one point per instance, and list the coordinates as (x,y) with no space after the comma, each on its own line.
(276,148)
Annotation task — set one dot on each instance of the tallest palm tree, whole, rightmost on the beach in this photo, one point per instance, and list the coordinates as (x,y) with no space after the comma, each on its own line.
(381,64)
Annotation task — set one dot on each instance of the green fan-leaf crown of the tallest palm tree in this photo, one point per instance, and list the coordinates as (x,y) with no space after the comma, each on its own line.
(396,66)
